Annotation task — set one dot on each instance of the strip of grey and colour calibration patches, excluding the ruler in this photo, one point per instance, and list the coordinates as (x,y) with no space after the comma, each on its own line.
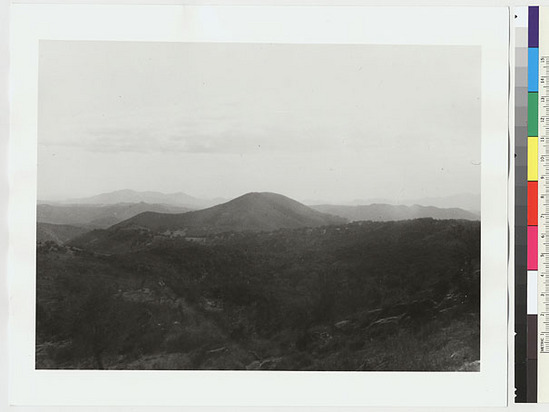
(526,202)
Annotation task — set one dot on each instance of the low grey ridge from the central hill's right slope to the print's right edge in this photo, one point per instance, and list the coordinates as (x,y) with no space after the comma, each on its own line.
(385,212)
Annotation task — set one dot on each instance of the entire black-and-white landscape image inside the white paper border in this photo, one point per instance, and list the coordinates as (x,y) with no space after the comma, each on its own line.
(258,206)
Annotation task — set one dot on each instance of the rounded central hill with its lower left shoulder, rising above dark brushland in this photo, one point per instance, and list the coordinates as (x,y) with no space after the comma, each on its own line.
(250,212)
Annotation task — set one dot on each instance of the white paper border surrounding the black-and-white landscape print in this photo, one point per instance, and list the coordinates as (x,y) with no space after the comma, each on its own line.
(484,27)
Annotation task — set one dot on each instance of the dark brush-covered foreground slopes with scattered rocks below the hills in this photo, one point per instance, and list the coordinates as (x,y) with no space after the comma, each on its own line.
(360,296)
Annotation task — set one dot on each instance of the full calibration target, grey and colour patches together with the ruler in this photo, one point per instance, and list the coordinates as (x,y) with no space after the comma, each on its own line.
(532,129)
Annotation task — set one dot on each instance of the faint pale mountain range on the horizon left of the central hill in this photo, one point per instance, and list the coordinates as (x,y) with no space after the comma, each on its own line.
(132,196)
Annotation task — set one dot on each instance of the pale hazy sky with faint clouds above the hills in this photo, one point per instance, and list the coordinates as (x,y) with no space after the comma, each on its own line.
(323,122)
